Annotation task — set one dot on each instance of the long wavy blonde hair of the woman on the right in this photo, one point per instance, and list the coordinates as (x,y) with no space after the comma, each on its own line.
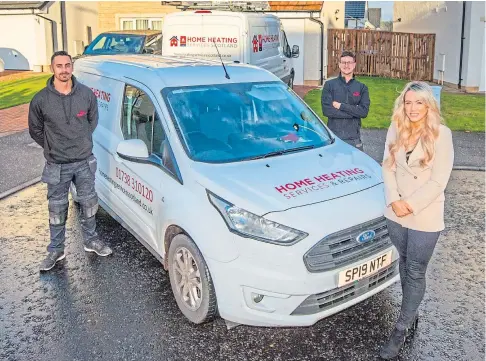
(428,132)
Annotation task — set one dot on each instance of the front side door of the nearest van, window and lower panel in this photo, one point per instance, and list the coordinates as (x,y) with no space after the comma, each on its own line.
(143,181)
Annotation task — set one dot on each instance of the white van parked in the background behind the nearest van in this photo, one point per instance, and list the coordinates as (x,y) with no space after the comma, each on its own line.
(245,37)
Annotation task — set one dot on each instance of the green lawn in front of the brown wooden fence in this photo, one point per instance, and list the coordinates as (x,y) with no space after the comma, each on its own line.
(460,111)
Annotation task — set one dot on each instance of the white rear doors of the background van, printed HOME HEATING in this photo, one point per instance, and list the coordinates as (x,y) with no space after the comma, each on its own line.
(195,35)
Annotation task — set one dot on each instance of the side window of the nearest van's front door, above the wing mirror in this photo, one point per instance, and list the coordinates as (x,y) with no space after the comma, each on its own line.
(141,121)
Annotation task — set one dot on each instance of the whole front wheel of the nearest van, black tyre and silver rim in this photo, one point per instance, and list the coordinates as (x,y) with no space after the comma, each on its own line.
(191,281)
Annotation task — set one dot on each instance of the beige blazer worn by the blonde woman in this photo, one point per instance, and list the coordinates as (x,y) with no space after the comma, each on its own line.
(422,188)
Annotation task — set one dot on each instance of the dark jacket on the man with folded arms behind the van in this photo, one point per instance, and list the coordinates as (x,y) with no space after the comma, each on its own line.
(355,103)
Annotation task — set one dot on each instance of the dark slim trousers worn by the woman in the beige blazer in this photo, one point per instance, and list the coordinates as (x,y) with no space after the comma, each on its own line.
(415,249)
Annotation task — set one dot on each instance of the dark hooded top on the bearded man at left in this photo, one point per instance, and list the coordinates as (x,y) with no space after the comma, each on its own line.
(64,124)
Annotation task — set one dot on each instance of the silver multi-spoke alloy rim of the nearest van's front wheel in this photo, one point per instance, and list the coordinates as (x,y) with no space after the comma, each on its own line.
(187,279)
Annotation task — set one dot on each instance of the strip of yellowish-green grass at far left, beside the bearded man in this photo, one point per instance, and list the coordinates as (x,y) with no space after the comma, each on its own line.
(16,92)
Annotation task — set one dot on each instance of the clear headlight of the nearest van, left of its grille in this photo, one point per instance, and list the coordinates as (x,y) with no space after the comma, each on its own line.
(249,225)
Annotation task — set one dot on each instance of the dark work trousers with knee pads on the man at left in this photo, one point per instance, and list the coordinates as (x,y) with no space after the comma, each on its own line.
(58,178)
